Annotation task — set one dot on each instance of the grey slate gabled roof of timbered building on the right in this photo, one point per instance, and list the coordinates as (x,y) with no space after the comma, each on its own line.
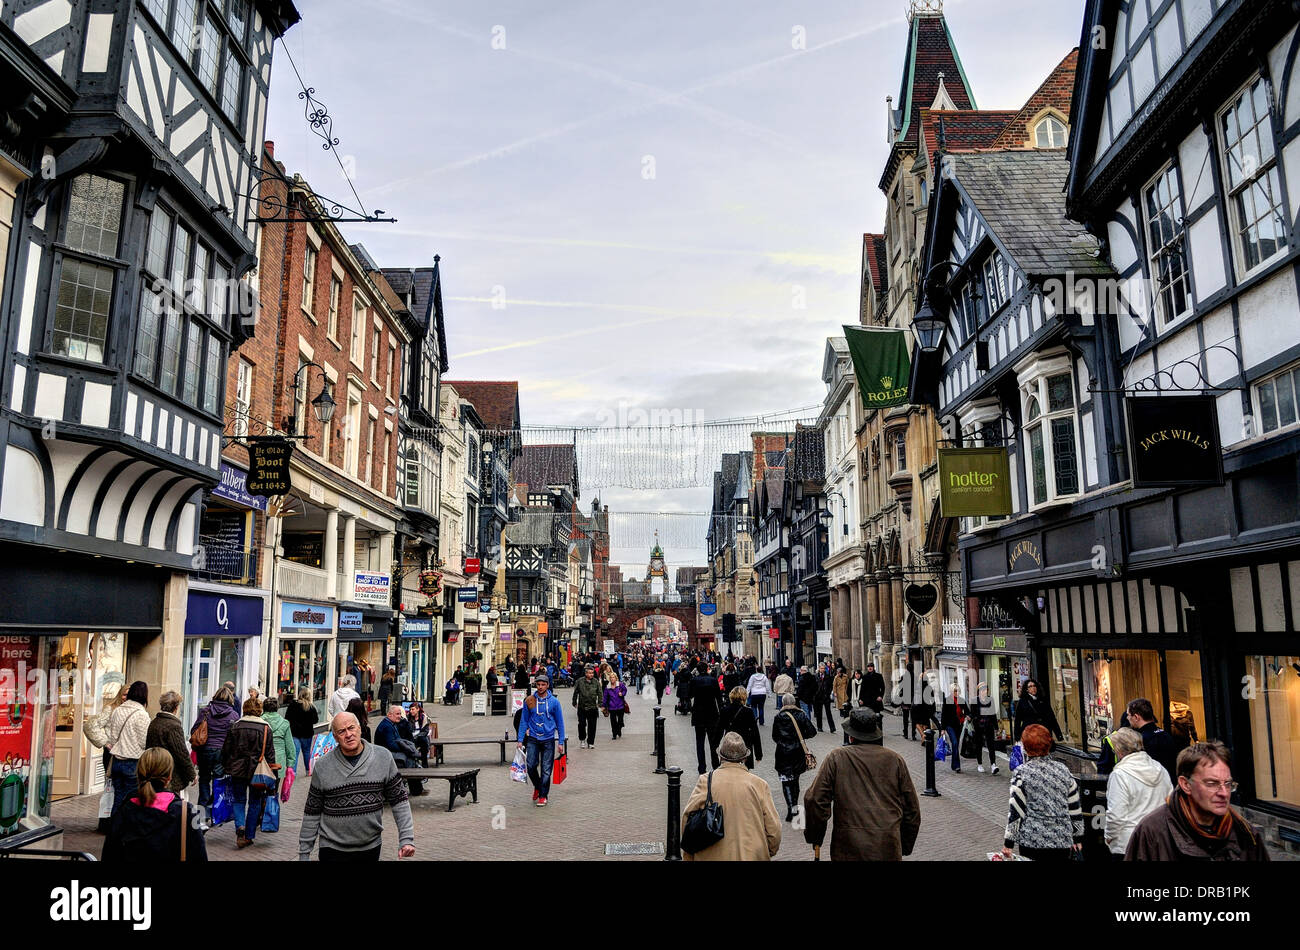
(1021,197)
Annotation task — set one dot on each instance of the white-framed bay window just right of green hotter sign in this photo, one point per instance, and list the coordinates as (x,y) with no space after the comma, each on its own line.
(1051,430)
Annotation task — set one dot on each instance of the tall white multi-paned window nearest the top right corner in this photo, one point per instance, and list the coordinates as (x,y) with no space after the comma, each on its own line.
(1253,177)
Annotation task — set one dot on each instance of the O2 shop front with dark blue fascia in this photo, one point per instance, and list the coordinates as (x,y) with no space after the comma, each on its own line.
(223,644)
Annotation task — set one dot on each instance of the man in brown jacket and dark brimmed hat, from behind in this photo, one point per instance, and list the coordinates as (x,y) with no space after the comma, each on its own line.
(877,810)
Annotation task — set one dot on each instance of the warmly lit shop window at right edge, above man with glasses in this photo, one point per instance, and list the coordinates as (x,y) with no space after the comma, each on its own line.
(1273,699)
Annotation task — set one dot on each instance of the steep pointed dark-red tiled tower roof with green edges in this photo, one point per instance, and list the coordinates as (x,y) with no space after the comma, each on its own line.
(930,53)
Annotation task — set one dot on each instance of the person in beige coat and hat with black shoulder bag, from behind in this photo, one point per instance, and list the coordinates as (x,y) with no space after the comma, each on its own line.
(752,828)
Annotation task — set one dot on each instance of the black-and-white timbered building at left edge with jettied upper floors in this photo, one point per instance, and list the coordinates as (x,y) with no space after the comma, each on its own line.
(127,162)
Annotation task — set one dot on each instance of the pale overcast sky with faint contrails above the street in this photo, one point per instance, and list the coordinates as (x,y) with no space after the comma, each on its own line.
(640,207)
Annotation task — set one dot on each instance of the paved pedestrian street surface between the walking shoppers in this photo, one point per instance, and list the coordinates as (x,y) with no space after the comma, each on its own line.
(612,796)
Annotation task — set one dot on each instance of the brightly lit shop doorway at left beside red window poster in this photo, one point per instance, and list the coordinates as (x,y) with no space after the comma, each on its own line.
(92,673)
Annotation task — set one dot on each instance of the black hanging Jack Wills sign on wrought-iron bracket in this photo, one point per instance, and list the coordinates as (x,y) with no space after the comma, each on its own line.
(1175,441)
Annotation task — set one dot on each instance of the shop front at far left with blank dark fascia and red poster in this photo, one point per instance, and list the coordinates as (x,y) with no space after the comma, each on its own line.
(75,631)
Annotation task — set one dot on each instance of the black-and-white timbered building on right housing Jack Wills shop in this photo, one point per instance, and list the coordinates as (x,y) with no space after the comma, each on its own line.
(1173,218)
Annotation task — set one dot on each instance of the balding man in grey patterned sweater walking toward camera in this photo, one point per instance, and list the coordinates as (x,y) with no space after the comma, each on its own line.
(345,802)
